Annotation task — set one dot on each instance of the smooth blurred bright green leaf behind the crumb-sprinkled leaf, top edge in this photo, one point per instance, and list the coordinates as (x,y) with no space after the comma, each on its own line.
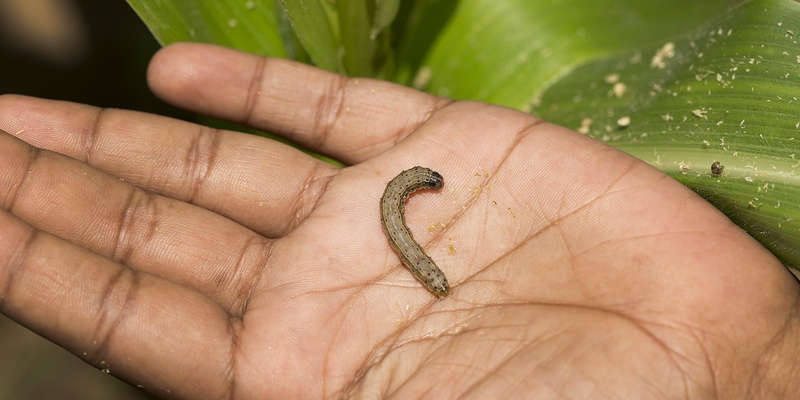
(516,48)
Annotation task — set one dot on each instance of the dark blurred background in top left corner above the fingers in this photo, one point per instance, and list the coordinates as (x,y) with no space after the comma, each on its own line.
(93,52)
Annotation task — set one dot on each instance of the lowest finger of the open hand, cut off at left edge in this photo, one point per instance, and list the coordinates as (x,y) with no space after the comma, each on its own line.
(109,315)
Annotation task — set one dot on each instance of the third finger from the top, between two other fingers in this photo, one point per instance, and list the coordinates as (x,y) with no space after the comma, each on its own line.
(164,237)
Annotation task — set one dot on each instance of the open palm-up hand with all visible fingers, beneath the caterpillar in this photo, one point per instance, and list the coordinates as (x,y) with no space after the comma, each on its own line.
(212,264)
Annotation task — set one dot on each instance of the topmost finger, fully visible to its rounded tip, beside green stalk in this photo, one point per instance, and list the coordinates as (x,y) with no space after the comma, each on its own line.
(350,119)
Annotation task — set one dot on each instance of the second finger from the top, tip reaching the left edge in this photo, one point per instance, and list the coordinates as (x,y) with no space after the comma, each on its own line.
(262,184)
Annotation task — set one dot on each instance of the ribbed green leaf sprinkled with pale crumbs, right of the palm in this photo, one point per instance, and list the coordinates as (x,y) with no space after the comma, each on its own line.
(724,92)
